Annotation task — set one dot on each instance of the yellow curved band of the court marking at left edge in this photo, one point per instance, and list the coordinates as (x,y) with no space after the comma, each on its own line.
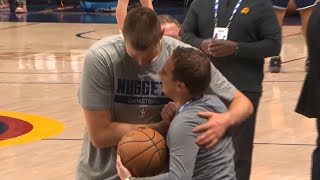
(43,127)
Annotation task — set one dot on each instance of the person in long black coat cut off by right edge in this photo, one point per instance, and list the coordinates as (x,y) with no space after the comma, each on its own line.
(309,101)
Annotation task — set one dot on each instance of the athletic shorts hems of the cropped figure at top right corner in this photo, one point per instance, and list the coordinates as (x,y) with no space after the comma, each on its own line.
(301,4)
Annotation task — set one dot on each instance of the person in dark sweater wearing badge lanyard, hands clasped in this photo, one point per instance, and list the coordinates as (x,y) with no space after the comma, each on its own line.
(238,35)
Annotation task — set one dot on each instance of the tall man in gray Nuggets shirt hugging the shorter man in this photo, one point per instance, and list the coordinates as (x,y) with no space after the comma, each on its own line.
(120,90)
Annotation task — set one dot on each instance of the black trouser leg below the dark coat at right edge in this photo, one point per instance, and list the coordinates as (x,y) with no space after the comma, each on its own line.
(315,170)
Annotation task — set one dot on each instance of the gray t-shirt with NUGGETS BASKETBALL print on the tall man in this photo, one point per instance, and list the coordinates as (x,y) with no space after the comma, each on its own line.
(113,80)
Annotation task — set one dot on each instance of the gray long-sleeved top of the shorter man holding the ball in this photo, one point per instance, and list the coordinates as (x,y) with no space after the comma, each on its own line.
(187,160)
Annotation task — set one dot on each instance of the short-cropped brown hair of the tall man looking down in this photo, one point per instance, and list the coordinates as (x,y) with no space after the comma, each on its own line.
(142,28)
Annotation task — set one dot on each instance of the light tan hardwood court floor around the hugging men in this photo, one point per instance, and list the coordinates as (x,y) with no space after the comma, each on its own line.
(40,68)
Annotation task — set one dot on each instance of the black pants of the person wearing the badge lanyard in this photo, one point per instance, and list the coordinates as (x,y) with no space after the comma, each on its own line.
(242,136)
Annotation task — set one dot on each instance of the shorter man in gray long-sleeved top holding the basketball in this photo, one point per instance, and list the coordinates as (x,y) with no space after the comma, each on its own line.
(185,77)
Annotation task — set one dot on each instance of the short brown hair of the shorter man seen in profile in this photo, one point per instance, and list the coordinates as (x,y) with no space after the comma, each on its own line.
(192,67)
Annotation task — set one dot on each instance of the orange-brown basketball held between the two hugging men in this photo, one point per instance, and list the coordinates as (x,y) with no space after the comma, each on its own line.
(143,152)
